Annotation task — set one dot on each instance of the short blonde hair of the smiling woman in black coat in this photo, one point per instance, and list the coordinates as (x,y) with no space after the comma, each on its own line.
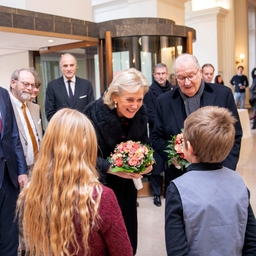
(129,80)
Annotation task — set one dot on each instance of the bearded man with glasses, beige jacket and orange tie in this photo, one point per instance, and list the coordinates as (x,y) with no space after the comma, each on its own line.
(29,123)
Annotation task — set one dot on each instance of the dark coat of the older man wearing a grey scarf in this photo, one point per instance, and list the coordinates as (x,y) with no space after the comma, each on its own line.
(170,116)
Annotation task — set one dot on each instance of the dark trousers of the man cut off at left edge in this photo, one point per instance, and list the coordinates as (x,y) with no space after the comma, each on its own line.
(8,224)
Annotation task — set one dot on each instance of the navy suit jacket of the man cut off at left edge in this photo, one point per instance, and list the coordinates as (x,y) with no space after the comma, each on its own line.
(11,151)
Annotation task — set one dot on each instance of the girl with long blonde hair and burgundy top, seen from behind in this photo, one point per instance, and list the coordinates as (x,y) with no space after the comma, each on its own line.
(81,215)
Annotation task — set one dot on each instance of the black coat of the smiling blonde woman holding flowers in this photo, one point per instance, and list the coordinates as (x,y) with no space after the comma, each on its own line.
(108,129)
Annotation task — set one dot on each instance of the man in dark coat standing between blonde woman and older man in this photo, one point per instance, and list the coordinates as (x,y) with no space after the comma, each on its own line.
(159,86)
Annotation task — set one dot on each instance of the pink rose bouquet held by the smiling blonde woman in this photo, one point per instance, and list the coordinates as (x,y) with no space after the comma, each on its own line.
(132,157)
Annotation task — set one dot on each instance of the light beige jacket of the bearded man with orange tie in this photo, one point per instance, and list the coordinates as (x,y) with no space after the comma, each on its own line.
(34,110)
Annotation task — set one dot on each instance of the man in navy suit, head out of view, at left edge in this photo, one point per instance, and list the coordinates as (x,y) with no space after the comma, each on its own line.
(13,173)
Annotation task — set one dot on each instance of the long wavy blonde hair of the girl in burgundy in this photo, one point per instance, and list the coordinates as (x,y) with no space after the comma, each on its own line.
(64,184)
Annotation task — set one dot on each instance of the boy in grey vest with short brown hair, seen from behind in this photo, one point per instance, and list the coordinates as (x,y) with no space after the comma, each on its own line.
(208,209)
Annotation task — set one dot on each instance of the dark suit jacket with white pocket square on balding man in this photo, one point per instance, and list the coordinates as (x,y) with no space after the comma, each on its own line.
(57,97)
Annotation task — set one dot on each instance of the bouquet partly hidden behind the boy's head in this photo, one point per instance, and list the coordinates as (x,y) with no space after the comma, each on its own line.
(175,152)
